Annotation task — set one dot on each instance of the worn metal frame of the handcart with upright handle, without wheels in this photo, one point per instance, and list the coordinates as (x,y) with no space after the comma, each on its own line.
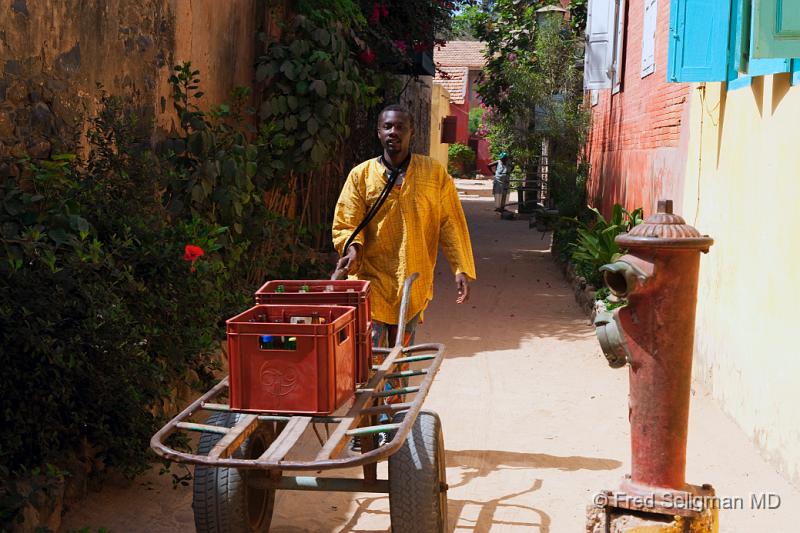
(358,421)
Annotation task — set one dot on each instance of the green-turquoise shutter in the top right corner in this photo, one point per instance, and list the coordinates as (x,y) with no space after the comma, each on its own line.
(776,29)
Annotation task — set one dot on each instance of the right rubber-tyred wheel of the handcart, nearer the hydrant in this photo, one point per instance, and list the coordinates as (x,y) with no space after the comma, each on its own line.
(417,479)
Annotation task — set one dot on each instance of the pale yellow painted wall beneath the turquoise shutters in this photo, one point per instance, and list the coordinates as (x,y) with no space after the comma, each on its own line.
(743,188)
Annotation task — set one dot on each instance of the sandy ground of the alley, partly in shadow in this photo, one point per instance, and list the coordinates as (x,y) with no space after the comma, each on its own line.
(534,419)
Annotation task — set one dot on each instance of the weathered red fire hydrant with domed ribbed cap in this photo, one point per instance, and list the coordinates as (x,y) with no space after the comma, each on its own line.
(654,334)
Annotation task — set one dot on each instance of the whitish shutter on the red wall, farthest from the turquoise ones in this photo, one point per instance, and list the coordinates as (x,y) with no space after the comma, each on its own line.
(600,32)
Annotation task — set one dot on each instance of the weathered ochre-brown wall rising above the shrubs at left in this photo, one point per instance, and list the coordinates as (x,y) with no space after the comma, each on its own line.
(55,56)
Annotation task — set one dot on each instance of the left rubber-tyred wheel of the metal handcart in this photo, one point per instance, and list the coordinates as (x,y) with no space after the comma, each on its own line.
(222,500)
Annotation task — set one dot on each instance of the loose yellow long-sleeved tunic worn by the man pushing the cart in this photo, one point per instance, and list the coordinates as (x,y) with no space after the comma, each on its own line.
(404,235)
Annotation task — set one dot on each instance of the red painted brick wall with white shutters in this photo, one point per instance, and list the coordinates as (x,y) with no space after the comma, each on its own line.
(638,143)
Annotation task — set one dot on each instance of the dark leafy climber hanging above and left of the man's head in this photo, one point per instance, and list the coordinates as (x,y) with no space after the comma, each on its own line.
(329,60)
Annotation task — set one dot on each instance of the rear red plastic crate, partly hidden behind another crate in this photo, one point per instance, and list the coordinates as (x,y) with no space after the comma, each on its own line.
(353,293)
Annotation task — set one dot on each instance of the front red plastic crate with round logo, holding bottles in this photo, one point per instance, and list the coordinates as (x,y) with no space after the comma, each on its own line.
(317,376)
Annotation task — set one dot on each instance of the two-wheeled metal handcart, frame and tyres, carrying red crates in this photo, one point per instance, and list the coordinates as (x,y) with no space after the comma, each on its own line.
(241,456)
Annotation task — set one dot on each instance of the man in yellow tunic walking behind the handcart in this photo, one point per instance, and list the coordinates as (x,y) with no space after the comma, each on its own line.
(421,212)
